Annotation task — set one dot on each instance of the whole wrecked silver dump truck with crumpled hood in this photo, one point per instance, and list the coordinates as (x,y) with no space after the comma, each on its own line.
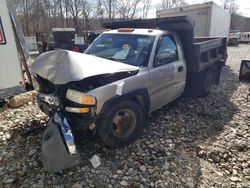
(125,74)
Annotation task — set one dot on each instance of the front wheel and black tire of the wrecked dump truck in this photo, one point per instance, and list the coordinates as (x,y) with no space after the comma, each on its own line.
(123,124)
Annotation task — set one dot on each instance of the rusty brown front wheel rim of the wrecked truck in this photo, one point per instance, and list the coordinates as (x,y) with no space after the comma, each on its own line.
(123,123)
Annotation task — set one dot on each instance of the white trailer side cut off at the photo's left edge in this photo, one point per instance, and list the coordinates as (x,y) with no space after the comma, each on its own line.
(14,73)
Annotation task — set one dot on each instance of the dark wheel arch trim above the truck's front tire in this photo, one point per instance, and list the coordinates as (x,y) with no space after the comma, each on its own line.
(109,104)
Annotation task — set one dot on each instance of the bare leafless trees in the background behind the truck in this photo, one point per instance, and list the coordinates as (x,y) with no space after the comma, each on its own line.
(84,15)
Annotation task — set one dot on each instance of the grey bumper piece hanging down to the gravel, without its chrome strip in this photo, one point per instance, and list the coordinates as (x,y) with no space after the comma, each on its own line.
(56,155)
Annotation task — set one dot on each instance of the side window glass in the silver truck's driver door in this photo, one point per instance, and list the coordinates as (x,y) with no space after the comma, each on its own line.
(167,51)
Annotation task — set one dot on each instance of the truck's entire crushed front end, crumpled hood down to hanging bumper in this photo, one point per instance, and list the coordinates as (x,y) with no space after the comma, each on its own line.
(65,79)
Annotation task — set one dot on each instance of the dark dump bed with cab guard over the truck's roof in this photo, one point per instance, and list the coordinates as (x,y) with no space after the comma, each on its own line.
(199,53)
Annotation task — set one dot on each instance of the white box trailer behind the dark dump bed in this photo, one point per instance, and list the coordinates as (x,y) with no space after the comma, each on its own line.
(210,19)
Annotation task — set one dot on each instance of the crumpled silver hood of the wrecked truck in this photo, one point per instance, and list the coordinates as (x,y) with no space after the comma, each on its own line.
(62,66)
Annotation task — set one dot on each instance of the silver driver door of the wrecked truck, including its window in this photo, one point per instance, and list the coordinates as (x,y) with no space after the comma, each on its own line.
(162,74)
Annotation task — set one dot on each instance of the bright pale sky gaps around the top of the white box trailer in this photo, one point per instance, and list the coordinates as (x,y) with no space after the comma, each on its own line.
(244,6)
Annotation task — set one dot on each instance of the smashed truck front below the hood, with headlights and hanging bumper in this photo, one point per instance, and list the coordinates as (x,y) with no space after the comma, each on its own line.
(68,110)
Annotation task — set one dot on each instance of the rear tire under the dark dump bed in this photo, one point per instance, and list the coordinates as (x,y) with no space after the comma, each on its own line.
(206,83)
